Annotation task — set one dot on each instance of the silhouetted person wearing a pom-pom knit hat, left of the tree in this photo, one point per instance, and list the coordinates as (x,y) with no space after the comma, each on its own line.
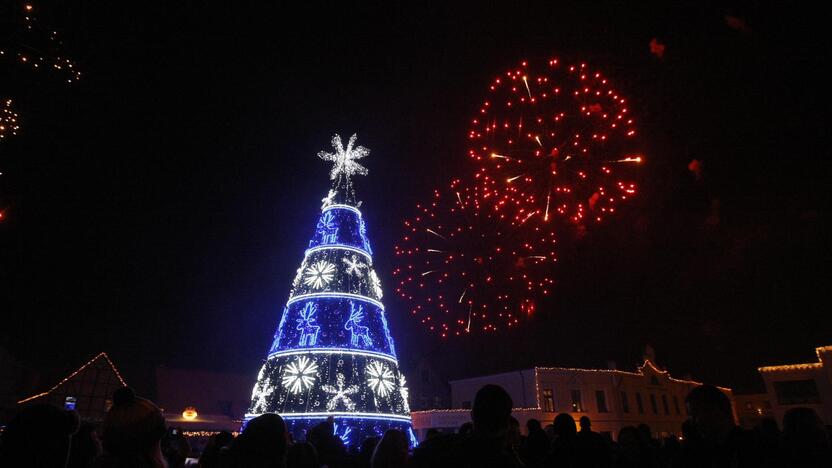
(132,433)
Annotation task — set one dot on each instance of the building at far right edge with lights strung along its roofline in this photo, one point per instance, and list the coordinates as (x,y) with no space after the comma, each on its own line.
(807,385)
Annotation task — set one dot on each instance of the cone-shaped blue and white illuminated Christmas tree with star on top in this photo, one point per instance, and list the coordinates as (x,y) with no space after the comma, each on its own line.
(332,353)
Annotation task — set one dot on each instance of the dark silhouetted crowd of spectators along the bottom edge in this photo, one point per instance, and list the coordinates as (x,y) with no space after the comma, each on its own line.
(134,434)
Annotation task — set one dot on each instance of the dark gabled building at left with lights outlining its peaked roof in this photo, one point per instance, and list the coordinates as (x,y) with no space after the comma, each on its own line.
(88,390)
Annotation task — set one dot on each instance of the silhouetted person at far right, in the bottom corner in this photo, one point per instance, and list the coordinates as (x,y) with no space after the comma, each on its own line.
(804,439)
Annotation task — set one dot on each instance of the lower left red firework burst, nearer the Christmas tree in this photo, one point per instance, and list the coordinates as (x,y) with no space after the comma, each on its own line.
(464,268)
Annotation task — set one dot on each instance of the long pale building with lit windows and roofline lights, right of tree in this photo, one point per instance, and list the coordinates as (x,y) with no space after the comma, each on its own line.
(611,398)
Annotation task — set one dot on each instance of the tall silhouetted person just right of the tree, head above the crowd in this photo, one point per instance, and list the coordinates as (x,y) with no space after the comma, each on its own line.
(486,446)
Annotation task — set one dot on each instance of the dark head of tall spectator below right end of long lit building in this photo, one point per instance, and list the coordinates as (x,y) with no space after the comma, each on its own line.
(711,412)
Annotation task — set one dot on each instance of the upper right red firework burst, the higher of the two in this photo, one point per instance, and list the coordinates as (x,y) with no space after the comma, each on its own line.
(555,140)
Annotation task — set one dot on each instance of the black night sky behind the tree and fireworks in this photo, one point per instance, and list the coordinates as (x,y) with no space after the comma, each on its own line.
(158,209)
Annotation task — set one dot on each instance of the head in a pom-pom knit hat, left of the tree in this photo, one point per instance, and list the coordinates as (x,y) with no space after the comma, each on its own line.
(133,425)
